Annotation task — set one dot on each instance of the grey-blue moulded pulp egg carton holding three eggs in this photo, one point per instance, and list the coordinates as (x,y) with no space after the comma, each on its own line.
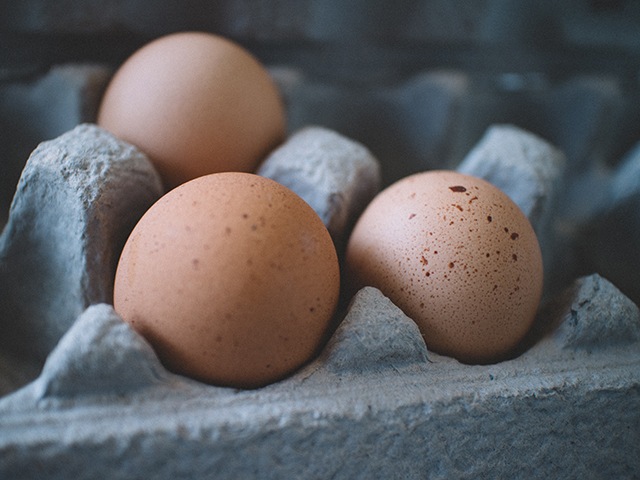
(84,396)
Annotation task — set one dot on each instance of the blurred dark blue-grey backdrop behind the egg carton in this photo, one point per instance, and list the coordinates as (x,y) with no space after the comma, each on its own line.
(358,41)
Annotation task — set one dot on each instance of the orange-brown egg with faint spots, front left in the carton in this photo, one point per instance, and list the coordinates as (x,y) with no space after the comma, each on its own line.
(232,278)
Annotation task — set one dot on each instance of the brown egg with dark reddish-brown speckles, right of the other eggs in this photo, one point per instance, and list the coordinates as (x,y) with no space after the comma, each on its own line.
(457,256)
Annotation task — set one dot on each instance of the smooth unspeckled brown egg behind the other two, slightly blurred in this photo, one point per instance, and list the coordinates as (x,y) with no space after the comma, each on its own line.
(196,104)
